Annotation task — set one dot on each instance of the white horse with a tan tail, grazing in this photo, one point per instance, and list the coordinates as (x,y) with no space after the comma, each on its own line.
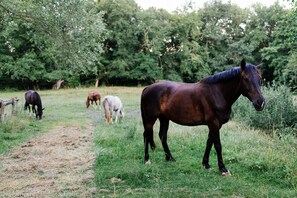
(110,104)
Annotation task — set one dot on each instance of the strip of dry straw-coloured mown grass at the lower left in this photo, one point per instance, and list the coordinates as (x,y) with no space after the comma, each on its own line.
(57,164)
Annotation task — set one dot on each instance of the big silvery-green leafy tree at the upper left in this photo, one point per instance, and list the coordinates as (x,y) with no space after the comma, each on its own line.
(61,35)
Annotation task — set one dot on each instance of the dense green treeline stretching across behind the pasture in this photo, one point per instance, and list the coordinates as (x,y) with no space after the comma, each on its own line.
(117,43)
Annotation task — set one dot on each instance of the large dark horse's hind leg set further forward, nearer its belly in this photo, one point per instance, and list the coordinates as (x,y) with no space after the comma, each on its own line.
(164,124)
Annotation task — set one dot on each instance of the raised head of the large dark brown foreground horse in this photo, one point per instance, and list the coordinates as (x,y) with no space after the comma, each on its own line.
(250,82)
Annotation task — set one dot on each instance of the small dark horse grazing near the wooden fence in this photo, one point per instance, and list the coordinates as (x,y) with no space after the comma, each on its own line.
(33,98)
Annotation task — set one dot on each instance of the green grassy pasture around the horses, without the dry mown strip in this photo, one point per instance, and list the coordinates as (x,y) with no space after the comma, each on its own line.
(261,166)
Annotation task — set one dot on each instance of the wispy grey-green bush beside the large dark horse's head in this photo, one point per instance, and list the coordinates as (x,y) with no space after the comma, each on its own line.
(279,115)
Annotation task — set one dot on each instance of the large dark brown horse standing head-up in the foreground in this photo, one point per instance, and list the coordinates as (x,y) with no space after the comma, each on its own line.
(207,102)
